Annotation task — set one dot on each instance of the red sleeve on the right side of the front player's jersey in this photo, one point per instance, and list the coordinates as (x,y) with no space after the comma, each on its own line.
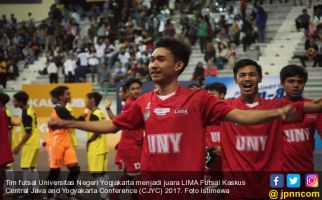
(214,110)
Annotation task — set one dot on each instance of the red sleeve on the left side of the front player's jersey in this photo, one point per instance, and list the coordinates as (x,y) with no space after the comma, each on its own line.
(130,119)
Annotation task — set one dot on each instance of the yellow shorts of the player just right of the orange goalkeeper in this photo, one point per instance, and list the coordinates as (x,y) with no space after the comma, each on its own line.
(97,163)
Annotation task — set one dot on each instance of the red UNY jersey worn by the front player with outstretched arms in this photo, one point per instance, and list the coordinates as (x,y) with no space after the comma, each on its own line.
(174,128)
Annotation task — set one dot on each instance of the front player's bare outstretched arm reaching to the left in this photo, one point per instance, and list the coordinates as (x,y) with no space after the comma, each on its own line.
(105,126)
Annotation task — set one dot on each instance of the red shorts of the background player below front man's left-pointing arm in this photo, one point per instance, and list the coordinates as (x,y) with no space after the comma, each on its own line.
(128,159)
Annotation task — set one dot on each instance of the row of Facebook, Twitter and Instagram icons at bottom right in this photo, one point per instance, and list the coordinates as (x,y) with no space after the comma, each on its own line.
(294,180)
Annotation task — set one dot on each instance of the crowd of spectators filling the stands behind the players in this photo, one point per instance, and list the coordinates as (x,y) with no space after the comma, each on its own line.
(120,34)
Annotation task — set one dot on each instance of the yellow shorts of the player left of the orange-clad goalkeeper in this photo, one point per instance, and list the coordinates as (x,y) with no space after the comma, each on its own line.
(29,158)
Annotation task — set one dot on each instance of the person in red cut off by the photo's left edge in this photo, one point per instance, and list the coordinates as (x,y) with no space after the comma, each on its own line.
(6,153)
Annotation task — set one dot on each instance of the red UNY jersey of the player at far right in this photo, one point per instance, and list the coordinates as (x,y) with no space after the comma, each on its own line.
(299,142)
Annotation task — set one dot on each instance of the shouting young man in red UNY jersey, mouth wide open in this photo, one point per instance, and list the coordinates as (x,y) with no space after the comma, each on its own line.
(251,152)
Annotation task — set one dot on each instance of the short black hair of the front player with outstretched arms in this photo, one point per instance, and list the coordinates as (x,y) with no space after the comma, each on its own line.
(180,50)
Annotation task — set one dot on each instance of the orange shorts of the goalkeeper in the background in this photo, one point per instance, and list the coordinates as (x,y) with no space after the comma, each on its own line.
(59,155)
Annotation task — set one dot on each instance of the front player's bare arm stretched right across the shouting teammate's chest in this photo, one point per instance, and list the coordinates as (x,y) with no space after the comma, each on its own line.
(248,117)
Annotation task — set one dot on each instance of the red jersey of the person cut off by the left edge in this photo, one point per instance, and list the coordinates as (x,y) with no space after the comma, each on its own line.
(5,149)
